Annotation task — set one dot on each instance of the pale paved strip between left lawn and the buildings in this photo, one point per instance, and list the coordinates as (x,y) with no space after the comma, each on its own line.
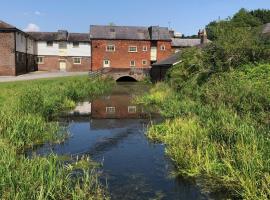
(39,75)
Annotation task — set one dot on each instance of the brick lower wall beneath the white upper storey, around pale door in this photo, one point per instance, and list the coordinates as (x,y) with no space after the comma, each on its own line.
(51,63)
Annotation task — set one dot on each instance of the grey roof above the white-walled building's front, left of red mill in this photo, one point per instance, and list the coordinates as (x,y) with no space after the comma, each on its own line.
(60,36)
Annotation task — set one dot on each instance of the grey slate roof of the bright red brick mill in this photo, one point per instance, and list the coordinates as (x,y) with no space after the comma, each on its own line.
(129,32)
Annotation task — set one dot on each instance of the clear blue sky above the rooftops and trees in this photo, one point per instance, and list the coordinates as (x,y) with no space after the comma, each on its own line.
(185,16)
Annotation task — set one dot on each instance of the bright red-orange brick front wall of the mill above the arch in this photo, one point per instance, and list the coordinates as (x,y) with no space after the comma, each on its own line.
(121,57)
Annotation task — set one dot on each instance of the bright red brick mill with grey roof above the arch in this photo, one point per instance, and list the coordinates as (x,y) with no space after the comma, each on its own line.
(125,47)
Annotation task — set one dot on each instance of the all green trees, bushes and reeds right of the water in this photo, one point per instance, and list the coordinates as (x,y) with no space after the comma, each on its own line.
(217,105)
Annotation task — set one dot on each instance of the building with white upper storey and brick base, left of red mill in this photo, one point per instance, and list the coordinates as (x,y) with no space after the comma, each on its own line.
(62,51)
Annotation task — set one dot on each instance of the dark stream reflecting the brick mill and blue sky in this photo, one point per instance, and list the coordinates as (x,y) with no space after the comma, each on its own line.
(133,167)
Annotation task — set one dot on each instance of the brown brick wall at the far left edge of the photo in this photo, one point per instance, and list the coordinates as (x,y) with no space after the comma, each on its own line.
(7,54)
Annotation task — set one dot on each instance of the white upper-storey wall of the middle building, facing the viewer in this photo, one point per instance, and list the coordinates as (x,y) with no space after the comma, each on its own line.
(84,49)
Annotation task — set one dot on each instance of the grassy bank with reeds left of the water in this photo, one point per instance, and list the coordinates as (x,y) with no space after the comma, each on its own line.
(27,110)
